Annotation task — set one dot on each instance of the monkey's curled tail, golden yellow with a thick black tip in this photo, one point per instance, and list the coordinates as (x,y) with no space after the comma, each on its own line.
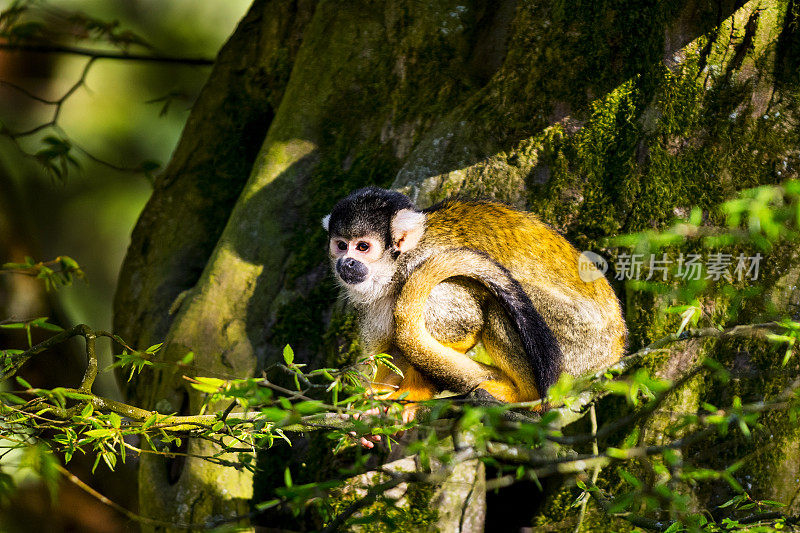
(542,351)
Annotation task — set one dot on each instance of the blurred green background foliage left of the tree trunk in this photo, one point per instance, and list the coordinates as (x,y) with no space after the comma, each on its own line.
(92,170)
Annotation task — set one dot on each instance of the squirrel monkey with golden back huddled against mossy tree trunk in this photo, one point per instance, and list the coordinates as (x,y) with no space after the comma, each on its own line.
(429,285)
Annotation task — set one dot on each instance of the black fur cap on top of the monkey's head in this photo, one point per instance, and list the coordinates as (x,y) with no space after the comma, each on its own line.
(365,211)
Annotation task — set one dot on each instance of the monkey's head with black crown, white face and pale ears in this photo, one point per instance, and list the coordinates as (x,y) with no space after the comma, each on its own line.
(368,231)
